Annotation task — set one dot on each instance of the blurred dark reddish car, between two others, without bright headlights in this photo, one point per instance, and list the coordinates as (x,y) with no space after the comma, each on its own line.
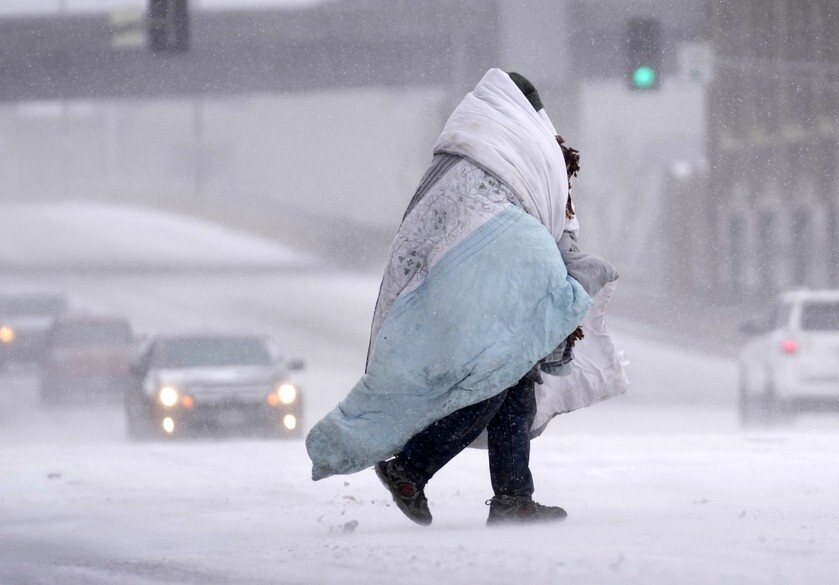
(86,359)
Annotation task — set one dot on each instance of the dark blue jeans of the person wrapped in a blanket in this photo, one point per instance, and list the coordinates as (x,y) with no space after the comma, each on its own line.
(507,418)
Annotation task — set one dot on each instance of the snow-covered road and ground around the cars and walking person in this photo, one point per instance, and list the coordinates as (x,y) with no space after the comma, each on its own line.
(661,485)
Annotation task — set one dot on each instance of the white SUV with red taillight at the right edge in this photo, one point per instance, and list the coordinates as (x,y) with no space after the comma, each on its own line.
(790,362)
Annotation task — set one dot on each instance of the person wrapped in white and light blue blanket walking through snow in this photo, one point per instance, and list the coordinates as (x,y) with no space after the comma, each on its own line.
(476,303)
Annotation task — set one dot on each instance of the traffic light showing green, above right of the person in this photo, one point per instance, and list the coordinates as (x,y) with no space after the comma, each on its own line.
(643,53)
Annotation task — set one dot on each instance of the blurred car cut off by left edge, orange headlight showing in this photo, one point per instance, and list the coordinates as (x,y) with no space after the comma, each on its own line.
(24,321)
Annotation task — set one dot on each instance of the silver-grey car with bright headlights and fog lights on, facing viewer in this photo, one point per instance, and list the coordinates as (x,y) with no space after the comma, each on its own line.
(212,384)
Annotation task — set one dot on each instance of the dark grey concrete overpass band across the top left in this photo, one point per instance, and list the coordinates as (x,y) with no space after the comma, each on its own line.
(334,45)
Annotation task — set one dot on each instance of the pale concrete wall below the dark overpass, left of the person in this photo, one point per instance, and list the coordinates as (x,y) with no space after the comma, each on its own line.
(356,154)
